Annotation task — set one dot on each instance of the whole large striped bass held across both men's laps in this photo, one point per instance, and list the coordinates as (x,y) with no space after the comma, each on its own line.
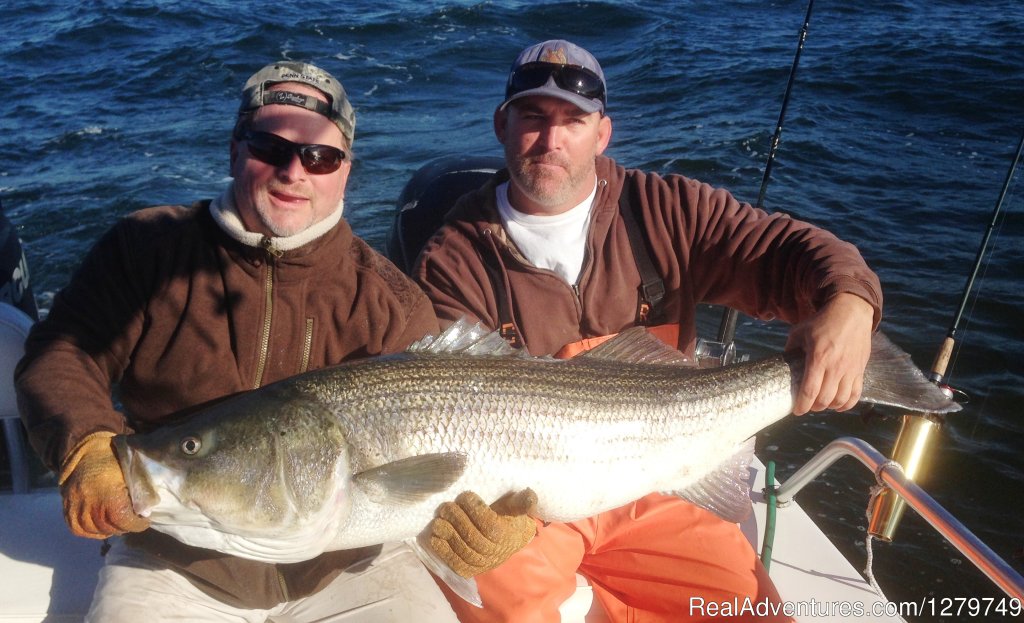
(365,452)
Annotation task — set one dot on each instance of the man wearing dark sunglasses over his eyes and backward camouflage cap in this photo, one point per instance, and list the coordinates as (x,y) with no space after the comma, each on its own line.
(184,306)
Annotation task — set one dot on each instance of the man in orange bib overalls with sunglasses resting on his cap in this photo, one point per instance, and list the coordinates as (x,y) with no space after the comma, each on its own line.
(564,248)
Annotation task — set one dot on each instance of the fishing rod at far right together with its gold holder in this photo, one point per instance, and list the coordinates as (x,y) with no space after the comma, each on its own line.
(918,433)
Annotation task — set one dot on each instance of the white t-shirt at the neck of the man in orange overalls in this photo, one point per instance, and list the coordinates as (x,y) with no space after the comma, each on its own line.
(554,242)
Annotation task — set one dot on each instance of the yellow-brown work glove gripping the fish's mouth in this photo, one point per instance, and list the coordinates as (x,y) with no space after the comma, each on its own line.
(96,496)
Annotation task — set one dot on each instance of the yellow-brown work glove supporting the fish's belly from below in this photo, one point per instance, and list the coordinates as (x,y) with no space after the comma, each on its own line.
(472,537)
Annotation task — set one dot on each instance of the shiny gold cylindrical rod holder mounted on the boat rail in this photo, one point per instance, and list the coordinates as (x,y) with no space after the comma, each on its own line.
(912,451)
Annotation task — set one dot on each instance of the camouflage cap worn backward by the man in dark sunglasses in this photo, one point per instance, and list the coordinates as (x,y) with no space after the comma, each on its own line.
(255,94)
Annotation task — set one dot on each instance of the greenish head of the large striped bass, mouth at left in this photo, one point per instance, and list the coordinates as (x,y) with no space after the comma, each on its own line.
(260,465)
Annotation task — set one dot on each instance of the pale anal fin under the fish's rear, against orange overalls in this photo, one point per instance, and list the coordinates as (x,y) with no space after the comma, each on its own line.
(727,492)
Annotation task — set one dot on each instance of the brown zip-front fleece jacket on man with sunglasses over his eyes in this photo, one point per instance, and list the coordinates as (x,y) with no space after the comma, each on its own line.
(175,313)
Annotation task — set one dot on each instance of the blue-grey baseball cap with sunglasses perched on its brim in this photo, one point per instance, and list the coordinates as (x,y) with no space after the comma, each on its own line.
(559,69)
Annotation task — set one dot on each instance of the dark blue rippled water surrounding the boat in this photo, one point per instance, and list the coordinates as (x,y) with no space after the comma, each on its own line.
(904,120)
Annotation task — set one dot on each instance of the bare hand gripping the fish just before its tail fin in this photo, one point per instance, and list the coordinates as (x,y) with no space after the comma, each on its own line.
(837,344)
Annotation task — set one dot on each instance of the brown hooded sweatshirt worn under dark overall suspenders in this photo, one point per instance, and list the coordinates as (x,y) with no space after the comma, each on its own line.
(706,245)
